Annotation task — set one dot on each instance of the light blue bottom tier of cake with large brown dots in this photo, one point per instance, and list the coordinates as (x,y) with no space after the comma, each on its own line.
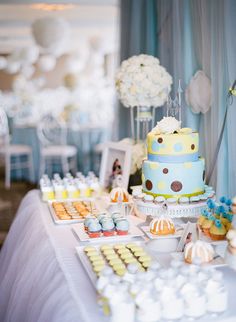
(173,179)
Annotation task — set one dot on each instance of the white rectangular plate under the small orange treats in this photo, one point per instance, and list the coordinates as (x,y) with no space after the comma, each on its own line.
(68,221)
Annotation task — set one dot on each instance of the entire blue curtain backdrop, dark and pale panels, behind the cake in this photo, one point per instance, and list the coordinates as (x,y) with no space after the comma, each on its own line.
(190,35)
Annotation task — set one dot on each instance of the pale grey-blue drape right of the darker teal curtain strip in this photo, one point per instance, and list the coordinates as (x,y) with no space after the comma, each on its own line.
(198,34)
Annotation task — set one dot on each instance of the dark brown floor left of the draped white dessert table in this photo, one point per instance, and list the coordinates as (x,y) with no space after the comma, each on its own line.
(9,203)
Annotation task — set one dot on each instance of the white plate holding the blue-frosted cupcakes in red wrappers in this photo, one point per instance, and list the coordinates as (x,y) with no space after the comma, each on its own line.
(79,231)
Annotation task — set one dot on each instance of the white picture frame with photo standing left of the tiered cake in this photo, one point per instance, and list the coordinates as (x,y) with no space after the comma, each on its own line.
(115,165)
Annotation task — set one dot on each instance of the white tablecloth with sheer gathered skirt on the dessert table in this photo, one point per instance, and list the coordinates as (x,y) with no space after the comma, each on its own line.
(41,277)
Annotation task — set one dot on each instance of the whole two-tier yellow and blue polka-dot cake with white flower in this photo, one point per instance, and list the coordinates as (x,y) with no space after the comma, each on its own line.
(173,167)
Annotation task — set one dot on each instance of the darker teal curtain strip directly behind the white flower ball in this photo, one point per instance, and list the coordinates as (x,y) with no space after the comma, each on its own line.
(138,21)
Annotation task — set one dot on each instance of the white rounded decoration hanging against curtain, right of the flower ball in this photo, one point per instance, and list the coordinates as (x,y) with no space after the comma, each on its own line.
(198,93)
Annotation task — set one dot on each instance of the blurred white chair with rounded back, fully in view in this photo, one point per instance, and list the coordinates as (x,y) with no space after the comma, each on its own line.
(52,136)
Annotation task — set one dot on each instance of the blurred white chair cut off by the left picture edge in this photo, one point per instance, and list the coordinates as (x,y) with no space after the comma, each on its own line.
(7,151)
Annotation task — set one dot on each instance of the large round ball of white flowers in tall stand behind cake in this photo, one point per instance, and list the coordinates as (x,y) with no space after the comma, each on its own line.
(142,81)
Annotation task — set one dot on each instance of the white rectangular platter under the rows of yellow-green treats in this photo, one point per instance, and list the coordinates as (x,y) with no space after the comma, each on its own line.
(87,265)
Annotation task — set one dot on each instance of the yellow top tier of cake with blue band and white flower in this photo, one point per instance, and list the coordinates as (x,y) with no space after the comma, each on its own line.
(168,142)
